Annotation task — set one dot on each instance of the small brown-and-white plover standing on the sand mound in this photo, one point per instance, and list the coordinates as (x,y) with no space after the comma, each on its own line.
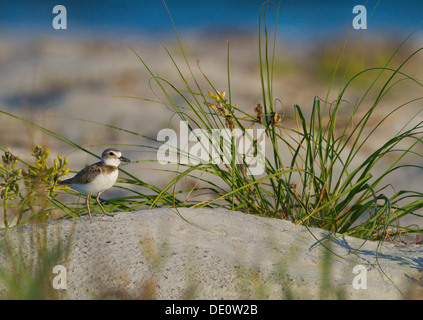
(98,177)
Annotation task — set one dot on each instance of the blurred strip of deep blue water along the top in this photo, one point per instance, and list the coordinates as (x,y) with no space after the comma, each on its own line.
(305,19)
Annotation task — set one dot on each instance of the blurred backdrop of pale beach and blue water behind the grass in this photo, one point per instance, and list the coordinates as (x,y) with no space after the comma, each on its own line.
(86,70)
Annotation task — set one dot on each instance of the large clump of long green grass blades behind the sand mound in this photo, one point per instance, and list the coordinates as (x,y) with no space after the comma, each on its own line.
(321,185)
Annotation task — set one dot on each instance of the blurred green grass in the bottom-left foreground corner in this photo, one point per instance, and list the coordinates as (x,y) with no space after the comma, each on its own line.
(28,261)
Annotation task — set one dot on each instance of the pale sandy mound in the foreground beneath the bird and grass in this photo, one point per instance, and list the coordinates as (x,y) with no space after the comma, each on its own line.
(220,254)
